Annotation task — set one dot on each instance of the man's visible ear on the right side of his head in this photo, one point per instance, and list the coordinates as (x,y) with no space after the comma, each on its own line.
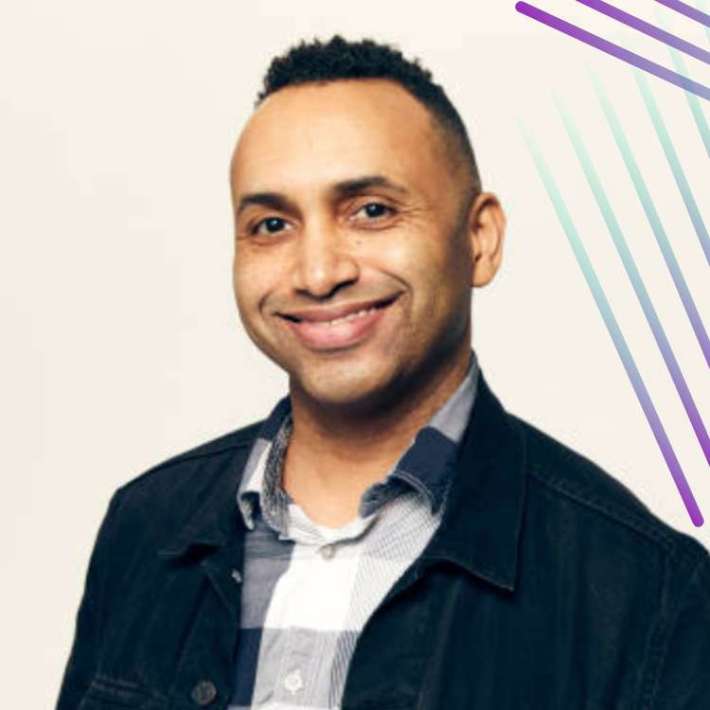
(486,229)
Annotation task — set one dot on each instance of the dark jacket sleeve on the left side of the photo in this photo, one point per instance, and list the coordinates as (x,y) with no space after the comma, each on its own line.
(84,653)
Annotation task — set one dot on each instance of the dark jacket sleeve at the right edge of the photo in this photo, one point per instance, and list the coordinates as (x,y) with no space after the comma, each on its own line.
(684,681)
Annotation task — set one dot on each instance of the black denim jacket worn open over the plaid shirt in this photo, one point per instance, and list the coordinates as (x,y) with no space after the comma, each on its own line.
(548,586)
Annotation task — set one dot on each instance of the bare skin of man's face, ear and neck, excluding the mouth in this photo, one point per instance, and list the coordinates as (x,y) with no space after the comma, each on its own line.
(346,192)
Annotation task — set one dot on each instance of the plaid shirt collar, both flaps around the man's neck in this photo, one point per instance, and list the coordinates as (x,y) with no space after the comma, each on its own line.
(426,466)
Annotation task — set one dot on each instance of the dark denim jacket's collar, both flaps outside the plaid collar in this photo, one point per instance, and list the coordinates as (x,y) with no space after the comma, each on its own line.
(482,522)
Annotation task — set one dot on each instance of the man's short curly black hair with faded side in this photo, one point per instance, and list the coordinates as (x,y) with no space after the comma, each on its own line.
(338,59)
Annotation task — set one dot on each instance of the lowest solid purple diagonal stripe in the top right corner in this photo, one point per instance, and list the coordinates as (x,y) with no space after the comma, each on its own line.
(613,49)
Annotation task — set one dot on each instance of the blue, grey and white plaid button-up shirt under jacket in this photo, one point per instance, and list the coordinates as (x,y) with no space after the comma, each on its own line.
(309,589)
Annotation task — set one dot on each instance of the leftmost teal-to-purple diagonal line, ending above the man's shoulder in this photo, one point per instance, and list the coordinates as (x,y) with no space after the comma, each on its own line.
(617,336)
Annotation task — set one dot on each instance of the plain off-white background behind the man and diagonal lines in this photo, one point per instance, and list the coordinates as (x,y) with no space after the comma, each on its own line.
(121,343)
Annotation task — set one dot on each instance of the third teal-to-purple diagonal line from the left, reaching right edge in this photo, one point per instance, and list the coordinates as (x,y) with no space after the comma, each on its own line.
(654,220)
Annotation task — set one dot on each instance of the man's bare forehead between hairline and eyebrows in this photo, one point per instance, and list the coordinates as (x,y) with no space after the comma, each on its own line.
(323,133)
